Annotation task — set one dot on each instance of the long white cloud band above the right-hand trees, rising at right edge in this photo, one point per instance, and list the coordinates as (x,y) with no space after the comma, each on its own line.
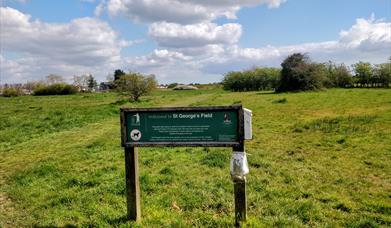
(367,40)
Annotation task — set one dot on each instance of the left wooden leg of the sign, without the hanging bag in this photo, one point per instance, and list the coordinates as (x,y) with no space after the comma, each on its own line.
(132,183)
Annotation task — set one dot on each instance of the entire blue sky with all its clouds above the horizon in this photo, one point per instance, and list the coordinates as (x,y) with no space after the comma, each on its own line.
(184,41)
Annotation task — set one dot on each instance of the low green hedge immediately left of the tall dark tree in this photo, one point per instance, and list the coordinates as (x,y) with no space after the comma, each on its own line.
(251,80)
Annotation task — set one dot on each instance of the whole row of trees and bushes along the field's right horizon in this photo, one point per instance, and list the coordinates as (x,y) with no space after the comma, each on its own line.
(299,73)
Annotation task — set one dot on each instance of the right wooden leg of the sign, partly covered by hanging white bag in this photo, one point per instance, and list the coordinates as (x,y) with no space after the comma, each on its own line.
(240,195)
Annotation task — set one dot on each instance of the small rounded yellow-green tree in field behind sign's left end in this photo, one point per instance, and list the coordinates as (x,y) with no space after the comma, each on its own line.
(136,85)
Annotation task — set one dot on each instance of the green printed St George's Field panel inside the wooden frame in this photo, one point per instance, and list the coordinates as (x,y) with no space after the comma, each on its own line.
(182,126)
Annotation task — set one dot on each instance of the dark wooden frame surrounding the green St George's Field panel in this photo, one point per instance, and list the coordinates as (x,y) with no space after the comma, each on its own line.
(240,126)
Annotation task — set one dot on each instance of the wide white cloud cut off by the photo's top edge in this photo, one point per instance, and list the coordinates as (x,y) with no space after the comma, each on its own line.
(184,12)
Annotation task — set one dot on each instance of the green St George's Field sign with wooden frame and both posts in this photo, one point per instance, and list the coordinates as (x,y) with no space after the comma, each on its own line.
(218,126)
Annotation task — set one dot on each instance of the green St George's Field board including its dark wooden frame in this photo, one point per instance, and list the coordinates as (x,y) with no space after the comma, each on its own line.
(183,126)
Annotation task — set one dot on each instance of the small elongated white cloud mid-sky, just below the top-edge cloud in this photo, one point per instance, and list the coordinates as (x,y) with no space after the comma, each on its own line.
(196,35)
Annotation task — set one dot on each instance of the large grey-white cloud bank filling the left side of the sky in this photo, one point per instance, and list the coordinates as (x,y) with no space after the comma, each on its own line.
(84,44)
